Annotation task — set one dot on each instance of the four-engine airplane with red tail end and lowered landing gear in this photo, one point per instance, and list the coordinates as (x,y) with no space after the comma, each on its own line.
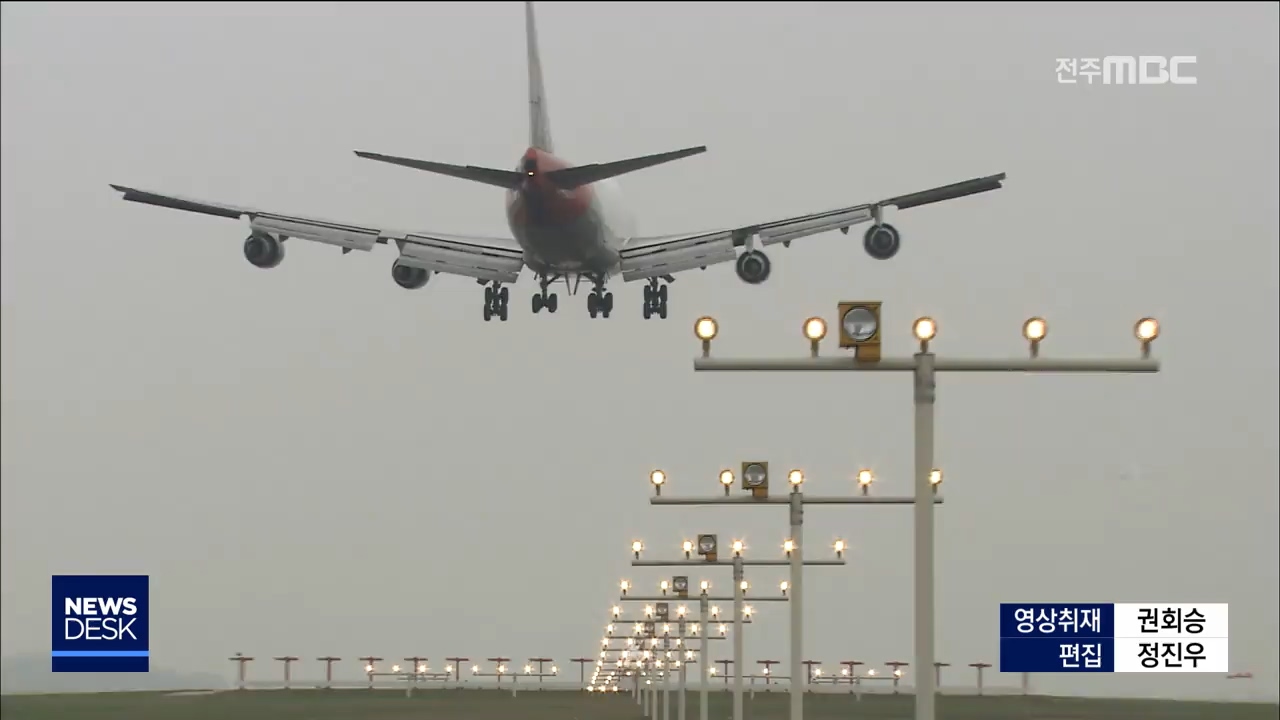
(568,222)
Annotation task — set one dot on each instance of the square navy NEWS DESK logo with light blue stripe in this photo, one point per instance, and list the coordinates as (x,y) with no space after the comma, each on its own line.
(100,625)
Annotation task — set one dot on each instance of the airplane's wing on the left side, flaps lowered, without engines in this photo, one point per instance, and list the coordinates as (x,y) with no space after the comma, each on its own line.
(482,258)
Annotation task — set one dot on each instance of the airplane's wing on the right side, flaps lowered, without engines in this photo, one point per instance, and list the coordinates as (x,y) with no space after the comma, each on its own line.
(656,257)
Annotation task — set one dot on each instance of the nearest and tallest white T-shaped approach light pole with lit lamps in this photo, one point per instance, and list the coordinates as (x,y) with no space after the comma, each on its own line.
(861,330)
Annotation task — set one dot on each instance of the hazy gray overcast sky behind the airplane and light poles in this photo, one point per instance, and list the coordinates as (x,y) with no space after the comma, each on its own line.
(314,461)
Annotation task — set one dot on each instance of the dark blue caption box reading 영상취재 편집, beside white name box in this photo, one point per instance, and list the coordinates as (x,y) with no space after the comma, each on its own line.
(1066,637)
